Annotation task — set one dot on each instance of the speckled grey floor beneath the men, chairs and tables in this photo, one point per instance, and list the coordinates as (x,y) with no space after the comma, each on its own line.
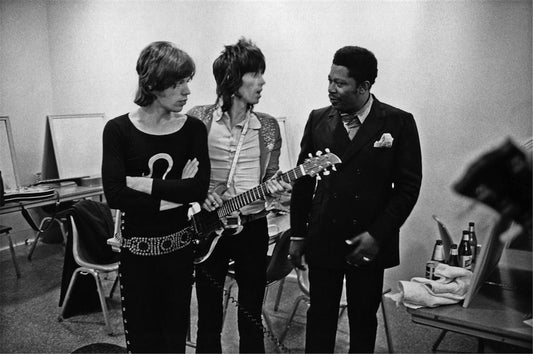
(29,316)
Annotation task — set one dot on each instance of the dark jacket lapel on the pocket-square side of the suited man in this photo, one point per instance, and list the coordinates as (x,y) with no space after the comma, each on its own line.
(367,132)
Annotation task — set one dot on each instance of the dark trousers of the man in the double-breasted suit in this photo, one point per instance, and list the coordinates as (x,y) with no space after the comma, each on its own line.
(363,294)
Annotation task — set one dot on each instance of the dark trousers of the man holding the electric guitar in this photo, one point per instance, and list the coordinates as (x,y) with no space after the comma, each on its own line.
(249,251)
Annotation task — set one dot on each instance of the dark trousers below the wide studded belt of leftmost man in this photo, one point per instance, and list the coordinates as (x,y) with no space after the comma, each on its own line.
(156,298)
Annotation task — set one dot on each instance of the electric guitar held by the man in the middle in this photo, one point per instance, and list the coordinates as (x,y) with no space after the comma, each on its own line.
(208,226)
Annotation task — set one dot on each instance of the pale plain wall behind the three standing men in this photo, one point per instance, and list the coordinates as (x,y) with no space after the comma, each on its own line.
(463,68)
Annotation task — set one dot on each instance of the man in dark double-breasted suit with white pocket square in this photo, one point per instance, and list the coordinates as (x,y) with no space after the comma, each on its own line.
(349,224)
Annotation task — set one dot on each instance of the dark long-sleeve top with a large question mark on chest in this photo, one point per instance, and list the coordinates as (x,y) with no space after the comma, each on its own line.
(127,151)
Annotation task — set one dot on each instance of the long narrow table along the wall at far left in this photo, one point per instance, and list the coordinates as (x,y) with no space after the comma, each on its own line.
(65,193)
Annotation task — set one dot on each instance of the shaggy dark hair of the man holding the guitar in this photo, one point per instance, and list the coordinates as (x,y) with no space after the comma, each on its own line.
(229,68)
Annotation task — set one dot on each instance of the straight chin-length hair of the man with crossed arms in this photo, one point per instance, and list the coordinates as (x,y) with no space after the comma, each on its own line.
(160,66)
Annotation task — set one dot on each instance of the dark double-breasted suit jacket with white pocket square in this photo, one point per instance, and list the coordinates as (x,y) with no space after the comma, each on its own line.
(374,188)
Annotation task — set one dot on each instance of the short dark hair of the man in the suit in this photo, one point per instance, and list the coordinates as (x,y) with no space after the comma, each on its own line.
(361,63)
